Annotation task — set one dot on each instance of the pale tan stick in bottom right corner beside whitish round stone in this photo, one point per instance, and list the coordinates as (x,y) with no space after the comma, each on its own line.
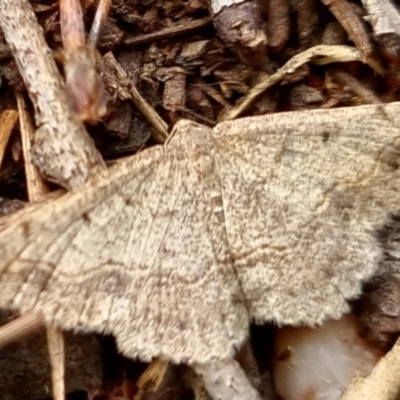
(382,384)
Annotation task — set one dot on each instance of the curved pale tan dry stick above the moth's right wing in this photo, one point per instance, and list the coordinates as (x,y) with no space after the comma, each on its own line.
(320,54)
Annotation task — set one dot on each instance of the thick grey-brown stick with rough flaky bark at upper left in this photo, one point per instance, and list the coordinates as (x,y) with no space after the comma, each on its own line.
(62,149)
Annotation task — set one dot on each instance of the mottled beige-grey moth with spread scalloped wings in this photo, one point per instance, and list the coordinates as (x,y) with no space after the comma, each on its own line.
(176,249)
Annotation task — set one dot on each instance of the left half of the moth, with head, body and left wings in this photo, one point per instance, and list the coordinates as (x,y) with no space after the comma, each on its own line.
(140,253)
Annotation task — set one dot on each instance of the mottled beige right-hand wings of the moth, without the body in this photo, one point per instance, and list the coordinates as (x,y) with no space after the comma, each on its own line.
(303,194)
